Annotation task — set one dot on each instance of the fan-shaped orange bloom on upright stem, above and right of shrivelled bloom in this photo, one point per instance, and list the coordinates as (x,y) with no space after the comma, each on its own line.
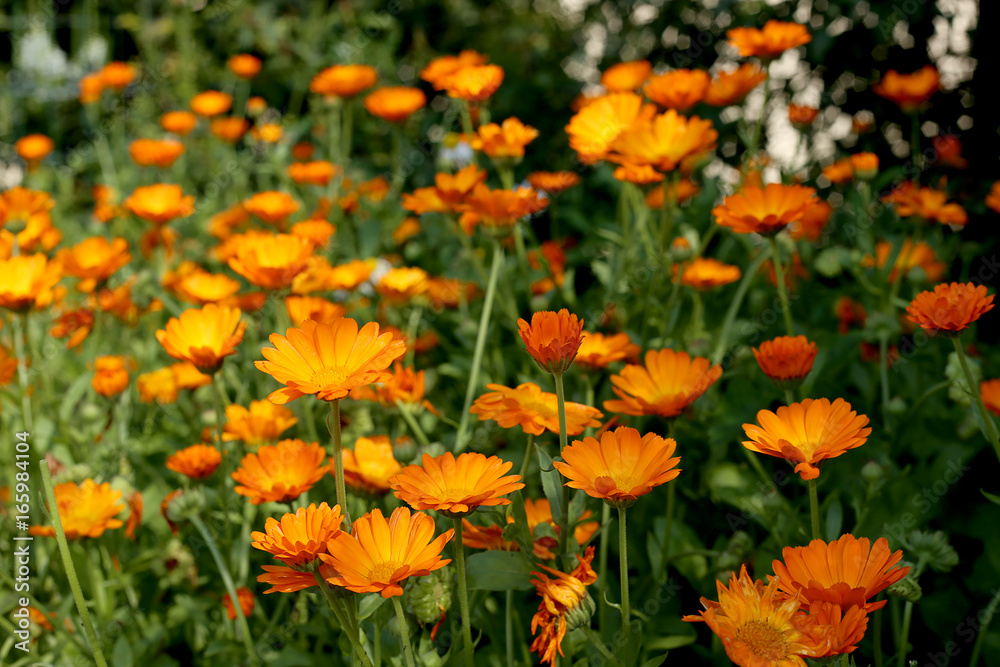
(619,467)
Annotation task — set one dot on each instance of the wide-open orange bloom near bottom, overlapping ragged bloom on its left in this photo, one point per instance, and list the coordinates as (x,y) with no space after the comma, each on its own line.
(378,555)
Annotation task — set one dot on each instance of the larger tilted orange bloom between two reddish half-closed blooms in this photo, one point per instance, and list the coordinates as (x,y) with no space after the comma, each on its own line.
(667,383)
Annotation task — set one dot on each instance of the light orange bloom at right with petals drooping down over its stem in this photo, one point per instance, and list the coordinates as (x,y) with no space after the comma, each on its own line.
(807,433)
